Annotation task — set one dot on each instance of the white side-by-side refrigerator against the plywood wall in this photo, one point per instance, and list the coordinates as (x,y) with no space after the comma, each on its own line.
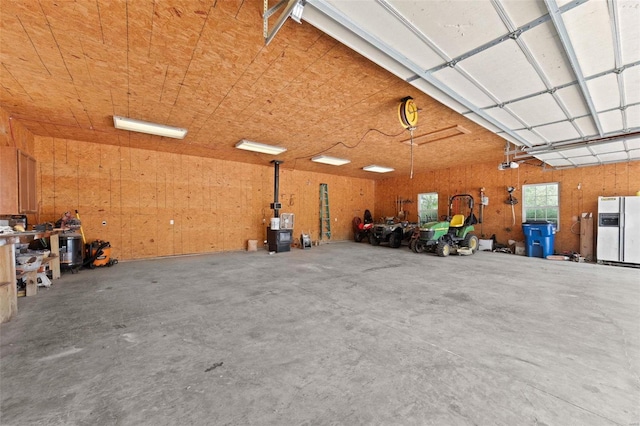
(618,229)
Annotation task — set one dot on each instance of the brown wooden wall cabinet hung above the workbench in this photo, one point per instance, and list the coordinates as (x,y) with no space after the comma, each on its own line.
(17,182)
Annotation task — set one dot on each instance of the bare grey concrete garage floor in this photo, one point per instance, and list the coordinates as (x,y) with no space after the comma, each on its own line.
(341,334)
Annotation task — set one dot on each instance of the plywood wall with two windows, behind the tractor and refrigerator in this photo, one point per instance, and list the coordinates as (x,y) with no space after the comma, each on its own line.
(613,179)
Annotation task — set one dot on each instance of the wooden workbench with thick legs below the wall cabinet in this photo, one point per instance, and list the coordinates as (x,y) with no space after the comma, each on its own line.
(8,276)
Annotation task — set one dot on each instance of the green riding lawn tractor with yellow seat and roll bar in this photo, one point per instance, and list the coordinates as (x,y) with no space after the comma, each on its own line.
(452,235)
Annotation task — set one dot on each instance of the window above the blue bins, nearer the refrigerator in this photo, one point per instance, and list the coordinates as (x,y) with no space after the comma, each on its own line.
(541,202)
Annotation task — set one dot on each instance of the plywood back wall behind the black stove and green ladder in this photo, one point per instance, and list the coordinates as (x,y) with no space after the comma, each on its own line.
(216,205)
